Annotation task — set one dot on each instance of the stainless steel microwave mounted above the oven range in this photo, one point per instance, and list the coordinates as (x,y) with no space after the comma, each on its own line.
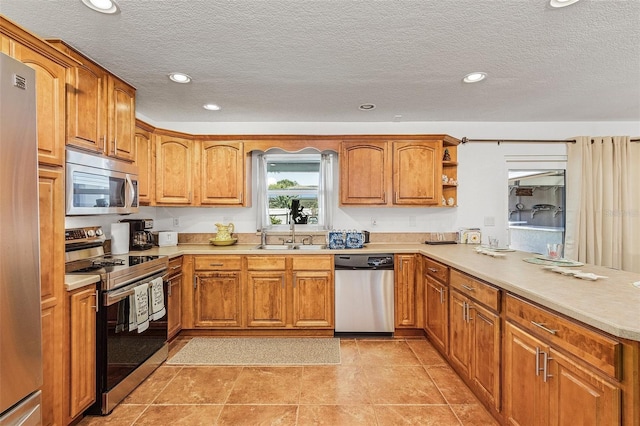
(99,185)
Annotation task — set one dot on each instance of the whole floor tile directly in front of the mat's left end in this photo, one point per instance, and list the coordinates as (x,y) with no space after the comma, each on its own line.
(199,385)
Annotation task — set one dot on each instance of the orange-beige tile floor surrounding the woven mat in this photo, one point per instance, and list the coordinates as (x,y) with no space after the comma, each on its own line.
(379,382)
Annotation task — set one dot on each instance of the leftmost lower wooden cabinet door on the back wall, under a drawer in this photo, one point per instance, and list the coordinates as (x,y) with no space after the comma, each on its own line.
(218,299)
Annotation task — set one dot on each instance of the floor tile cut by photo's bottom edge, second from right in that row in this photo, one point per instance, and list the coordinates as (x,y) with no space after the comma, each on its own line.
(423,415)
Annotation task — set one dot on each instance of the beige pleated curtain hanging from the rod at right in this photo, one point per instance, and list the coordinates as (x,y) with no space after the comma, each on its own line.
(603,202)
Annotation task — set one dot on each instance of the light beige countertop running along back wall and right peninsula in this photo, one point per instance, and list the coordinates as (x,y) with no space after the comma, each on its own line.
(611,304)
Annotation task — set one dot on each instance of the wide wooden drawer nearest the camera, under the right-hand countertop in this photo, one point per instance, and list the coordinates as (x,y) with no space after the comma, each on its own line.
(595,348)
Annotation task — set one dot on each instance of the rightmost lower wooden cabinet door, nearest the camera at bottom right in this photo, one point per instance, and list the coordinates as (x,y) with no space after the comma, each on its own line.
(579,397)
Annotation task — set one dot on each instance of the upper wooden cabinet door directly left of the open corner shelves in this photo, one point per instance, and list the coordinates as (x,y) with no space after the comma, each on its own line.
(417,172)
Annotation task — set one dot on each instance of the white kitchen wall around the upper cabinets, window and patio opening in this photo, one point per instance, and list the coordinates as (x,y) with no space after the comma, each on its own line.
(481,174)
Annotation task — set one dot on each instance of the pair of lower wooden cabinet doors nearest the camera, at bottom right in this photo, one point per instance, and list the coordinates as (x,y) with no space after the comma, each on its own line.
(544,387)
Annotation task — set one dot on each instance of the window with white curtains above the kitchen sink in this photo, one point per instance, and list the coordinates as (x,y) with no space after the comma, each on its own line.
(306,177)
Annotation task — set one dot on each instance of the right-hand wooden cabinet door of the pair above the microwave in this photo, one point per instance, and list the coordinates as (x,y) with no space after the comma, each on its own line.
(122,108)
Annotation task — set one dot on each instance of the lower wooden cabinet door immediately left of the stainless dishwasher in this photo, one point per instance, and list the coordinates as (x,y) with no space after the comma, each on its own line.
(313,299)
